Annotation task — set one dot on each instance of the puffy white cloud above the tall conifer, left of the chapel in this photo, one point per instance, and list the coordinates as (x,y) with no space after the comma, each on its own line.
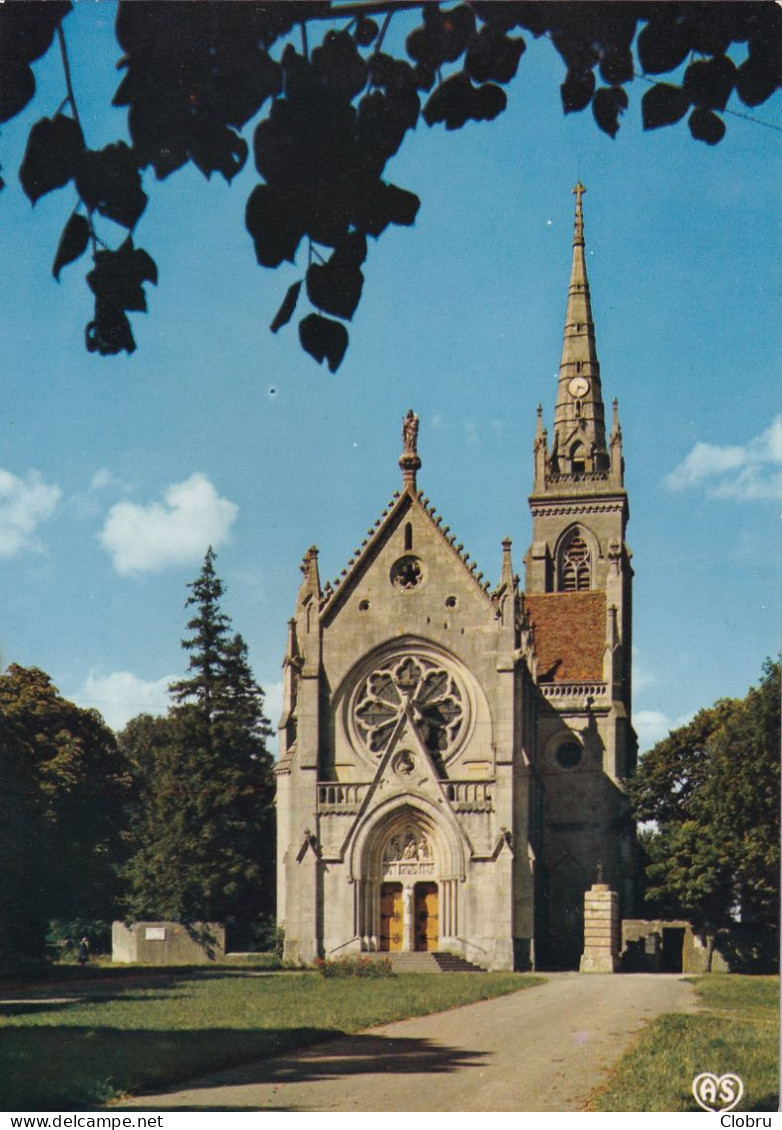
(177,532)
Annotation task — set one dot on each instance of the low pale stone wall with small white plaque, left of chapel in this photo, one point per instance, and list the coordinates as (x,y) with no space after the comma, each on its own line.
(169,943)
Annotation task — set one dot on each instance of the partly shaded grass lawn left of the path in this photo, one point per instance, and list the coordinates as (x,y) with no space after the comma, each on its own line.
(133,1038)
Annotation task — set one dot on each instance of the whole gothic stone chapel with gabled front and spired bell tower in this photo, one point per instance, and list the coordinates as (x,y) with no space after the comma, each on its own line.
(453,755)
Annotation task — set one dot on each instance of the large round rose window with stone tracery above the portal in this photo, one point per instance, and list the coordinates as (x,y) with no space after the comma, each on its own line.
(419,690)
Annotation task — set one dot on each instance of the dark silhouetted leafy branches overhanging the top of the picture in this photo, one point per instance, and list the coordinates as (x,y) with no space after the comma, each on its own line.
(331,116)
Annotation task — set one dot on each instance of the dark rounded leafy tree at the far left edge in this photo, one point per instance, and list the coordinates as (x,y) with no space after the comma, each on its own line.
(64,790)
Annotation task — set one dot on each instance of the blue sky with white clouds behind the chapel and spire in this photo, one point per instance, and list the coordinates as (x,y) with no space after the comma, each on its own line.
(116,474)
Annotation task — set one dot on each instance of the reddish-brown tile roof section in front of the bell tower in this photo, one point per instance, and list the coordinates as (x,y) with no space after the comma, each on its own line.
(570,634)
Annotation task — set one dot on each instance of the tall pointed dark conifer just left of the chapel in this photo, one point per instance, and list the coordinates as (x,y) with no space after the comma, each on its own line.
(203,823)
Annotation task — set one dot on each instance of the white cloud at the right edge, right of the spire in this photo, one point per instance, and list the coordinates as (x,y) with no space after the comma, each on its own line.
(745,472)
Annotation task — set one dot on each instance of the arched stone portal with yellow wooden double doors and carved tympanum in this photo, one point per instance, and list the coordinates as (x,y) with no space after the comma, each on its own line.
(409,867)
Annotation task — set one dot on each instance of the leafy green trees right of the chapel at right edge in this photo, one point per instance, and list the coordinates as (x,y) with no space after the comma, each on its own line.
(713,790)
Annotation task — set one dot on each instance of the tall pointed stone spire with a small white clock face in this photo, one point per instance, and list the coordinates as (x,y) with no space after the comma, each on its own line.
(579,441)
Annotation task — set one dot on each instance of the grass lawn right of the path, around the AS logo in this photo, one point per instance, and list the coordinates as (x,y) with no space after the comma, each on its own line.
(735,1031)
